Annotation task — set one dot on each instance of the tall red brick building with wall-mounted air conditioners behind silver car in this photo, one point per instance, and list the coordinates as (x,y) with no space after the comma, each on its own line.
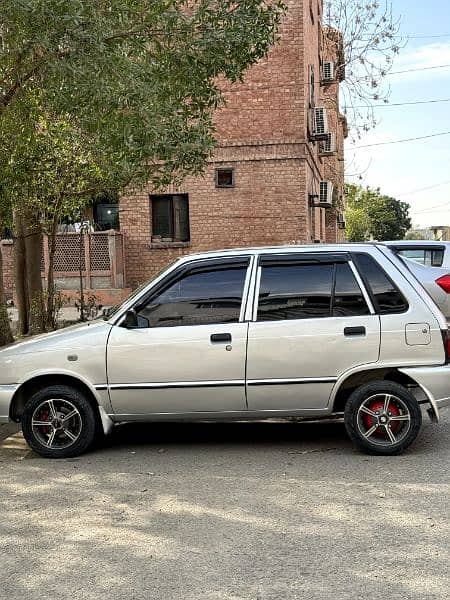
(276,176)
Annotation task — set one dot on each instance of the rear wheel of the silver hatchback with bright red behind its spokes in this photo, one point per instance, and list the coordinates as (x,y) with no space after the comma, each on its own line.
(381,426)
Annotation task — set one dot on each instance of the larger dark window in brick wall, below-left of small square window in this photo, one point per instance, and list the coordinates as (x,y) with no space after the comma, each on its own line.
(170,218)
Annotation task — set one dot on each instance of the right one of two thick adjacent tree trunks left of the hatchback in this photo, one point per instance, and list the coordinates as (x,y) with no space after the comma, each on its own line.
(33,253)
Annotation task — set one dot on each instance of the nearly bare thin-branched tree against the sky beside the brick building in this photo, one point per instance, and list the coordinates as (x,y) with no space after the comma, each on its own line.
(364,35)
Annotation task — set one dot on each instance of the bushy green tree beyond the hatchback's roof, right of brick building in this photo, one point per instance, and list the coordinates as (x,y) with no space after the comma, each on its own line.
(372,215)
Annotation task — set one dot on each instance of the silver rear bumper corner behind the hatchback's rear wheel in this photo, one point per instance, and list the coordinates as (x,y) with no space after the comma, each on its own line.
(435,382)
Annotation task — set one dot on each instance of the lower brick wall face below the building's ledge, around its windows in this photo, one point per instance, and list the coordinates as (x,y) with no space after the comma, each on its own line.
(266,207)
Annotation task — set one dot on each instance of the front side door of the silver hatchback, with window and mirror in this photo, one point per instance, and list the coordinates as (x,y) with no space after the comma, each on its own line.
(187,352)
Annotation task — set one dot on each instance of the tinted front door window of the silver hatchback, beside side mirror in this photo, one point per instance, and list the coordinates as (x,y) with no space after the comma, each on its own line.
(197,298)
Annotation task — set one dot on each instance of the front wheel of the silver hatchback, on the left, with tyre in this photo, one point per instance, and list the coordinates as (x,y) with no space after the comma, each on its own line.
(58,400)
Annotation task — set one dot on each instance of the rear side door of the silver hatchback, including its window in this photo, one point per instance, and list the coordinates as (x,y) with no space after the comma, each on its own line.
(312,321)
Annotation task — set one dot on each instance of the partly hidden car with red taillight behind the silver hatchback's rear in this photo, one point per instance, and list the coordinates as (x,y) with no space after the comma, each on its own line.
(429,262)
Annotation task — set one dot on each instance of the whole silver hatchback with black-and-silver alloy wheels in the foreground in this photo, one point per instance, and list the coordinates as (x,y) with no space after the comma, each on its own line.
(301,331)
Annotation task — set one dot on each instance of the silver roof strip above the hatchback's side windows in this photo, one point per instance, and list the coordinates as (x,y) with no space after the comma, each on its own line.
(291,248)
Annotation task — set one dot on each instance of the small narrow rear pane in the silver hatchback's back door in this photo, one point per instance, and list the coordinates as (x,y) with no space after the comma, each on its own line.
(348,299)
